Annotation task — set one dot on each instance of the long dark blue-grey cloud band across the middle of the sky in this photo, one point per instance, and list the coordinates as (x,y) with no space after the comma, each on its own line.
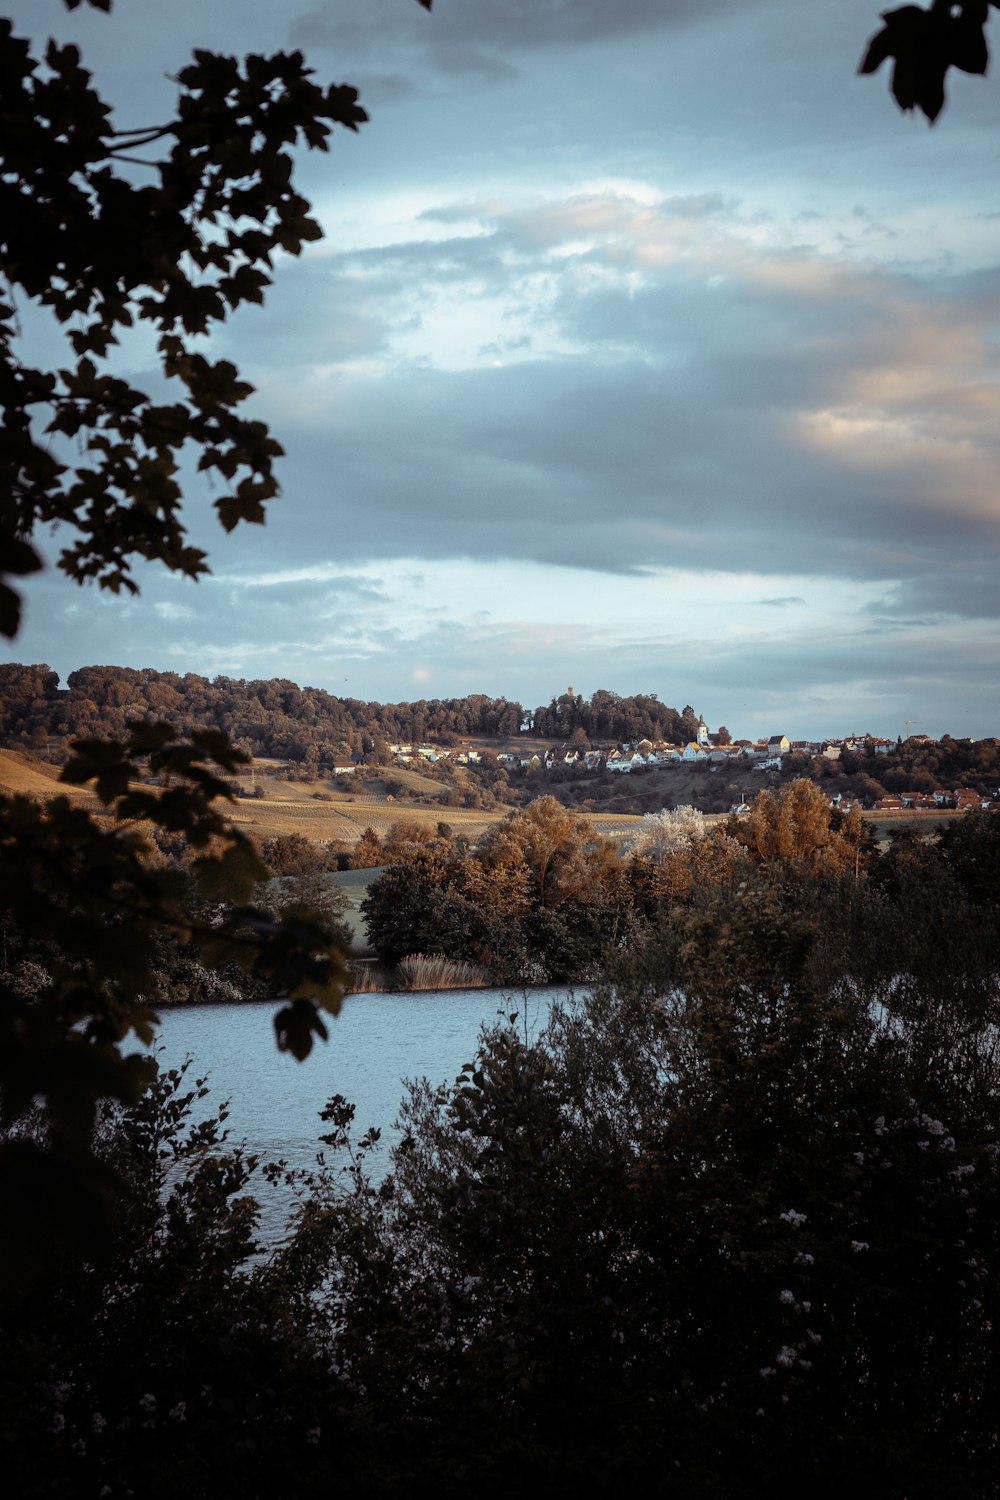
(608,470)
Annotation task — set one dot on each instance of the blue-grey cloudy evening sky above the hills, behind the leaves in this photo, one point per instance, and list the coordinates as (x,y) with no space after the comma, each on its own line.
(648,349)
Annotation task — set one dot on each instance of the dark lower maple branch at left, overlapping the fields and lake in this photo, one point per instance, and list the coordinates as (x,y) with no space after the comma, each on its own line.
(92,896)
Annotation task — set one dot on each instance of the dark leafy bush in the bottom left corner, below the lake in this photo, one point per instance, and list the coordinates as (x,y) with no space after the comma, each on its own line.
(179,1358)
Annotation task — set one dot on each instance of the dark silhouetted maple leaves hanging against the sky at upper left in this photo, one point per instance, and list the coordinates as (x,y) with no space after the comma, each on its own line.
(103,256)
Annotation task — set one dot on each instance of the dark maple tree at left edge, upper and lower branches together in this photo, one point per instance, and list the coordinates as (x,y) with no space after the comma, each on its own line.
(83,448)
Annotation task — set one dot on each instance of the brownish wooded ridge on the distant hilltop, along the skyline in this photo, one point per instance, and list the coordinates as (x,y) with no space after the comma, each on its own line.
(304,725)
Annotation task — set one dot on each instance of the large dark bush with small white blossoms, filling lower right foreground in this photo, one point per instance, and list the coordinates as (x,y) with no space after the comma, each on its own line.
(729,1225)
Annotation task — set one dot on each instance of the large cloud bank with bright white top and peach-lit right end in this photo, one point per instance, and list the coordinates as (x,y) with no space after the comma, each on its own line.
(660,388)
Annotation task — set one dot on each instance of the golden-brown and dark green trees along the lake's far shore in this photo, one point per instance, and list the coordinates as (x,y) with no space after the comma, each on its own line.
(542,898)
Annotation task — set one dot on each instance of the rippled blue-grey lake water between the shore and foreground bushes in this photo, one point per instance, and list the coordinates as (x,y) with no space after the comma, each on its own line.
(376,1043)
